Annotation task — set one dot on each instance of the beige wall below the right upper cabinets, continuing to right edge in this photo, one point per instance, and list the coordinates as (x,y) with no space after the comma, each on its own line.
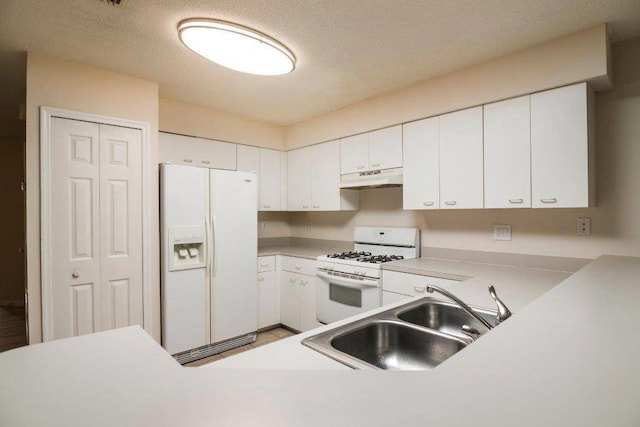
(615,226)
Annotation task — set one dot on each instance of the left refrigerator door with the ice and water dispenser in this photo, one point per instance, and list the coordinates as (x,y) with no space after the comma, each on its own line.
(183,292)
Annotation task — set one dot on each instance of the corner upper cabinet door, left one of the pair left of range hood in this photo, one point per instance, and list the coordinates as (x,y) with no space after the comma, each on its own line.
(299,179)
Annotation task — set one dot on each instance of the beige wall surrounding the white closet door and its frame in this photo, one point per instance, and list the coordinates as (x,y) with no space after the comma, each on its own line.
(56,83)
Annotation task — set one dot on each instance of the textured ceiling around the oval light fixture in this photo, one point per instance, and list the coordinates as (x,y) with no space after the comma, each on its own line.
(347,50)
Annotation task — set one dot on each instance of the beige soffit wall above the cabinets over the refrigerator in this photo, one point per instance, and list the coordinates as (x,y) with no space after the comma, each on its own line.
(186,119)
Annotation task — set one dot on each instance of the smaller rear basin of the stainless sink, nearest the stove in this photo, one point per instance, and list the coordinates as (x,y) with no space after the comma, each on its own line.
(444,317)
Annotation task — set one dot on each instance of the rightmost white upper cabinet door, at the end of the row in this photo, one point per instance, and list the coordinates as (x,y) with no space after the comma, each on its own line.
(559,148)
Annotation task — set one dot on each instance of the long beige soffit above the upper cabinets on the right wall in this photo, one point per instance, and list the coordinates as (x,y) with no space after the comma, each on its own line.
(578,57)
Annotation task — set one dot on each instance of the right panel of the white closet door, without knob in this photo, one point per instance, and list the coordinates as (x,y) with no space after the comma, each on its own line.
(121,226)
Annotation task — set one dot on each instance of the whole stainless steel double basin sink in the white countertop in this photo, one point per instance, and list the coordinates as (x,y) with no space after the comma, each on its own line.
(415,336)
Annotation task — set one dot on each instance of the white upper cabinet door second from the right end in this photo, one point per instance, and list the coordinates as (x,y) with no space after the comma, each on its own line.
(507,154)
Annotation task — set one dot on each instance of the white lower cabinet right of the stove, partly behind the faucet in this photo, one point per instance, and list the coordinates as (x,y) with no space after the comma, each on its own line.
(397,286)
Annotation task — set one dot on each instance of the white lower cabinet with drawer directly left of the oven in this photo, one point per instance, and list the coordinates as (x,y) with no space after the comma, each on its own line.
(298,294)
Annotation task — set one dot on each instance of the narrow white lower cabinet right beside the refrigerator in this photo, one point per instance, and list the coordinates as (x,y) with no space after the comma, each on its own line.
(268,300)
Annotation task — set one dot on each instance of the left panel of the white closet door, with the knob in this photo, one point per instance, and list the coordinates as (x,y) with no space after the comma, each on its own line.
(75,228)
